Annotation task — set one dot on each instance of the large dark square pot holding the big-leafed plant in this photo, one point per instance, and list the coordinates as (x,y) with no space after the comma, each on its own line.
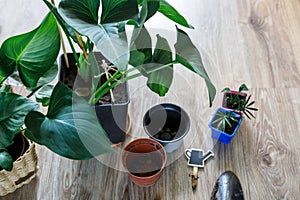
(112,117)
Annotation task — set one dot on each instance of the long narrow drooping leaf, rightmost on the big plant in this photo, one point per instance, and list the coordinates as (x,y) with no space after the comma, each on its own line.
(188,55)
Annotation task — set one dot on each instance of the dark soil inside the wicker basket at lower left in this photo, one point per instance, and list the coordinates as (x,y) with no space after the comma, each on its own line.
(18,148)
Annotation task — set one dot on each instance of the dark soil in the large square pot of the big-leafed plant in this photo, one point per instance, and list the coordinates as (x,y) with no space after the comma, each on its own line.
(71,78)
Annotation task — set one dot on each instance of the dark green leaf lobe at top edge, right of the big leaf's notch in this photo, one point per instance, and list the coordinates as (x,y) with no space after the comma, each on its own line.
(118,10)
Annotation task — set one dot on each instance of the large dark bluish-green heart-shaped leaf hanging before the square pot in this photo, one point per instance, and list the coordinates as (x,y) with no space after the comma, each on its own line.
(70,128)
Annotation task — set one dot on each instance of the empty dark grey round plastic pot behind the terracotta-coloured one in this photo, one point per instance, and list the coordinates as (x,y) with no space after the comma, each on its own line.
(168,124)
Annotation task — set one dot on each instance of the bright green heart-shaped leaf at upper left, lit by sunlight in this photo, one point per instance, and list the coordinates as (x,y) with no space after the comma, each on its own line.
(32,53)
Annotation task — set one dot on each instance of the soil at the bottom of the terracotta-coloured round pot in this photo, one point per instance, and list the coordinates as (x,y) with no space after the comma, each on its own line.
(144,164)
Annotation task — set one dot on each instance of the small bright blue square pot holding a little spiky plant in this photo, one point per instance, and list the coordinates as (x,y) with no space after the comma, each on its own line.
(219,134)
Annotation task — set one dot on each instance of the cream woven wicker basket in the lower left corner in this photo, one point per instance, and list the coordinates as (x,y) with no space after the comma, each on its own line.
(23,171)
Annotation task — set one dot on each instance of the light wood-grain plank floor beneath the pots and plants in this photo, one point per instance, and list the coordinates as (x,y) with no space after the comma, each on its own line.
(256,42)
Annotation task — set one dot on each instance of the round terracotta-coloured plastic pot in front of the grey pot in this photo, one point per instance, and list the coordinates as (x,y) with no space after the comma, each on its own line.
(144,159)
